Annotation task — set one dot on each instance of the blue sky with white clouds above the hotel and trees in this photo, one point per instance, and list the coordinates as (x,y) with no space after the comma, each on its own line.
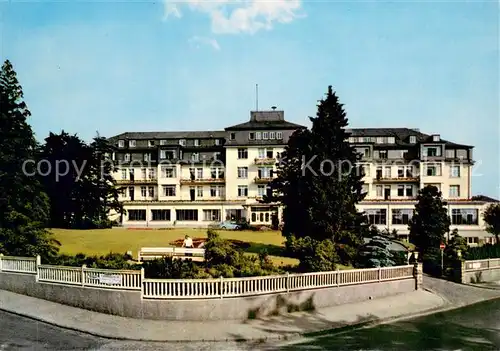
(116,66)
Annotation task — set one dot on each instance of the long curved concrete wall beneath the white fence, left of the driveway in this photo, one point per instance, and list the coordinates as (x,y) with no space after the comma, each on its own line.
(129,303)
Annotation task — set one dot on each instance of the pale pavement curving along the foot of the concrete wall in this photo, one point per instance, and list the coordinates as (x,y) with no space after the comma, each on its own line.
(438,296)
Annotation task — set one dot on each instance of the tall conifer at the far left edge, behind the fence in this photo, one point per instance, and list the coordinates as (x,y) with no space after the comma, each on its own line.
(24,207)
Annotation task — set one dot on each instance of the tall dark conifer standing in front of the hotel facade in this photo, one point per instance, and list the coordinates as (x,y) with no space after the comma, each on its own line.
(319,182)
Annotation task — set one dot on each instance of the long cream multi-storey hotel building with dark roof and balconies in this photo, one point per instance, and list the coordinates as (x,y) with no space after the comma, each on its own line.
(196,178)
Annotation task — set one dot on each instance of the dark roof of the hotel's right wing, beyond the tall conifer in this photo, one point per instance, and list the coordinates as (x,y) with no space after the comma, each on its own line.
(402,135)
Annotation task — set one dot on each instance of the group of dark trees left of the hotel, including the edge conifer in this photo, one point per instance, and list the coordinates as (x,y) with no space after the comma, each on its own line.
(36,195)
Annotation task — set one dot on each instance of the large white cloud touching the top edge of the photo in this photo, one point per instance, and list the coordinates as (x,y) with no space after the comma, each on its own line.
(239,16)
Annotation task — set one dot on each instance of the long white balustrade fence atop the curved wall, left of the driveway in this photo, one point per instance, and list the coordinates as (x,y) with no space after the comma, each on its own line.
(199,288)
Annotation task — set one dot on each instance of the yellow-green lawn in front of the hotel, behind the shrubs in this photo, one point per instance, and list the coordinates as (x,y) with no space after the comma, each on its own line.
(121,240)
